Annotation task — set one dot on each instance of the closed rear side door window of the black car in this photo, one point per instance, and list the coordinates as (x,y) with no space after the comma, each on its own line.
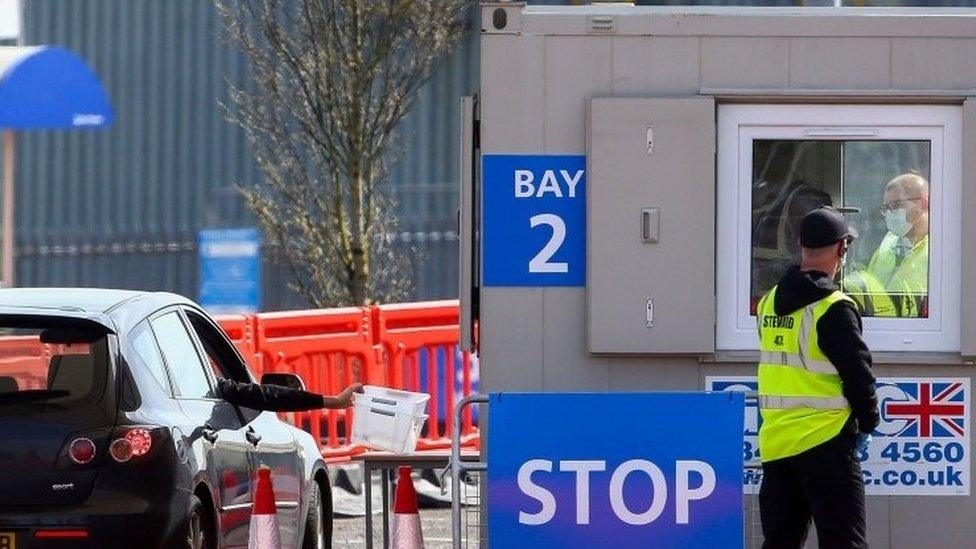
(181,356)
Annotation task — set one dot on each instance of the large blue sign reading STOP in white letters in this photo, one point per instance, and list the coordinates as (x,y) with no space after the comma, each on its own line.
(623,470)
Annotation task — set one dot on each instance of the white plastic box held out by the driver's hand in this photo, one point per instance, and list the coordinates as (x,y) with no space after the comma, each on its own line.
(389,419)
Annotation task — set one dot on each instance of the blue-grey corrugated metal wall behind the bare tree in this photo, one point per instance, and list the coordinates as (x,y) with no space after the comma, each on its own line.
(122,207)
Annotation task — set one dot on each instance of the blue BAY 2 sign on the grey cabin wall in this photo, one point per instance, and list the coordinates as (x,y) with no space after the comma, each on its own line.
(534,220)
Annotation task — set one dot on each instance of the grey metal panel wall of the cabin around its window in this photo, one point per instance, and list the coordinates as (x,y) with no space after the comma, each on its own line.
(531,337)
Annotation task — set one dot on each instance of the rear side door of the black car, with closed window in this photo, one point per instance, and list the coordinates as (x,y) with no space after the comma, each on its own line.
(220,437)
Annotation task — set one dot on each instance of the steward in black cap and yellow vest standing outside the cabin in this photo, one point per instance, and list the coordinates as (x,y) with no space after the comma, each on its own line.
(816,397)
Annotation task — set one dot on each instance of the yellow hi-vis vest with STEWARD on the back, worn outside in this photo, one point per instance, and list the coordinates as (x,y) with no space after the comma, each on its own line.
(800,395)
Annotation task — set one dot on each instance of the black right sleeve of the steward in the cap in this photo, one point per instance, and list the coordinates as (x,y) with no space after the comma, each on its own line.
(839,333)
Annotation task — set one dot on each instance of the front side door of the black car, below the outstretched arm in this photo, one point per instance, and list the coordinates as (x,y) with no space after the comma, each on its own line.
(273,443)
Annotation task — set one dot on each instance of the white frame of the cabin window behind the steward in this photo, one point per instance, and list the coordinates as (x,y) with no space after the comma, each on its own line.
(941,125)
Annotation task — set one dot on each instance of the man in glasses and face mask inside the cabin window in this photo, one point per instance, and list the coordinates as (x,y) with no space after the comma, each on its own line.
(901,262)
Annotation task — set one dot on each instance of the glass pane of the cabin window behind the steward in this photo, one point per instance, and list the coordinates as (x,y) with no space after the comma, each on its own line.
(886,182)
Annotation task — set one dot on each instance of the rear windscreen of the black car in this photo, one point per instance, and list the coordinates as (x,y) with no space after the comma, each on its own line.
(53,362)
